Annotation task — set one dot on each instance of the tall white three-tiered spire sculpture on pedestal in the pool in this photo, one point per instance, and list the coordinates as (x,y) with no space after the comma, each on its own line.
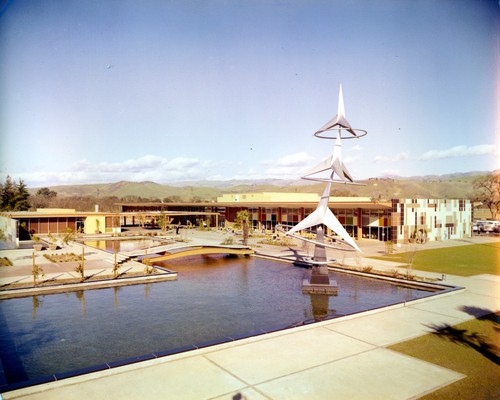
(337,173)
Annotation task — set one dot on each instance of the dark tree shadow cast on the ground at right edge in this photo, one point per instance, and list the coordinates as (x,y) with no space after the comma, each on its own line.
(473,340)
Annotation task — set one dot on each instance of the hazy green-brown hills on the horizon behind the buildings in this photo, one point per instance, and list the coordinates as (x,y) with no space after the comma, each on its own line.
(444,186)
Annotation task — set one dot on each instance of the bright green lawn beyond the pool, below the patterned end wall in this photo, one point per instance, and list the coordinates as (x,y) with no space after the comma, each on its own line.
(464,260)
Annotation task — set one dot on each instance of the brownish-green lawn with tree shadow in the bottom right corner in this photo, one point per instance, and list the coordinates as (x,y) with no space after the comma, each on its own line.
(470,348)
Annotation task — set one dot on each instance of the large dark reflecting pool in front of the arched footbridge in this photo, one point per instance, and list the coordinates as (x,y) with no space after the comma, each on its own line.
(214,298)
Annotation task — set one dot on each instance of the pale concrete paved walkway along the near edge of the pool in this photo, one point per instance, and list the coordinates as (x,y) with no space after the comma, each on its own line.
(345,358)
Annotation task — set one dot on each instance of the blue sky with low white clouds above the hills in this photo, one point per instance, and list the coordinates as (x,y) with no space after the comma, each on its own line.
(182,90)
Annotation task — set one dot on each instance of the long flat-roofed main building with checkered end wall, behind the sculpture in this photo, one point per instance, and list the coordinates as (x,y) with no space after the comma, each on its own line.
(398,220)
